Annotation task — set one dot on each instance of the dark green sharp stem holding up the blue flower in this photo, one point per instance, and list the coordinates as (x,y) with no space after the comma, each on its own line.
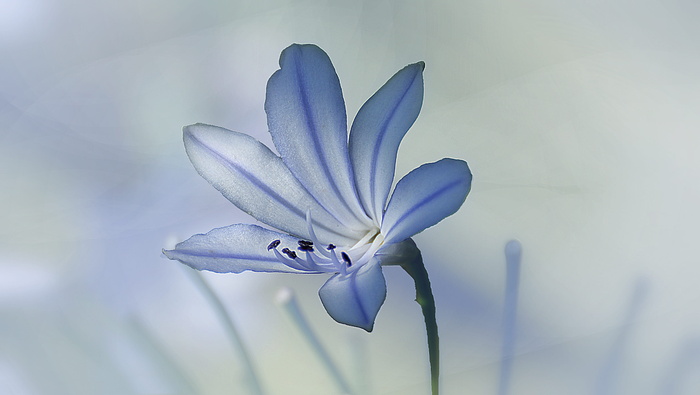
(424,297)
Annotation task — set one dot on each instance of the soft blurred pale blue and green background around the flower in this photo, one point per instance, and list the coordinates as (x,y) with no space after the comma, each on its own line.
(579,120)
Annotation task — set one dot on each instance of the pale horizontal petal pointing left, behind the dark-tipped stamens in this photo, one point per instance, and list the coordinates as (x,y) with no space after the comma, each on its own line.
(233,249)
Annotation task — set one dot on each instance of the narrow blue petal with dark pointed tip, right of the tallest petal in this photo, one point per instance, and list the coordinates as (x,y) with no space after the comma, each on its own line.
(377,131)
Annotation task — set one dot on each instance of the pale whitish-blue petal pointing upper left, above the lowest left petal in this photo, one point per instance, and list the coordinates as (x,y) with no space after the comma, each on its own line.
(256,180)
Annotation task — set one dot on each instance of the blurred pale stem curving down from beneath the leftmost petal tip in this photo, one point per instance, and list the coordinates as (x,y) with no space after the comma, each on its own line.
(230,327)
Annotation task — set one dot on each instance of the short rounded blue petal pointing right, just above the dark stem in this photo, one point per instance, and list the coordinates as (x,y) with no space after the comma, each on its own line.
(424,197)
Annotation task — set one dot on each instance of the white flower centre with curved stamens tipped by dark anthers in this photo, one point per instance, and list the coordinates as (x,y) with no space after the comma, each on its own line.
(310,255)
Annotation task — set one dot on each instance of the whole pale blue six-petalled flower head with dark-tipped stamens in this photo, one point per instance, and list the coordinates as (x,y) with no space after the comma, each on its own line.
(328,194)
